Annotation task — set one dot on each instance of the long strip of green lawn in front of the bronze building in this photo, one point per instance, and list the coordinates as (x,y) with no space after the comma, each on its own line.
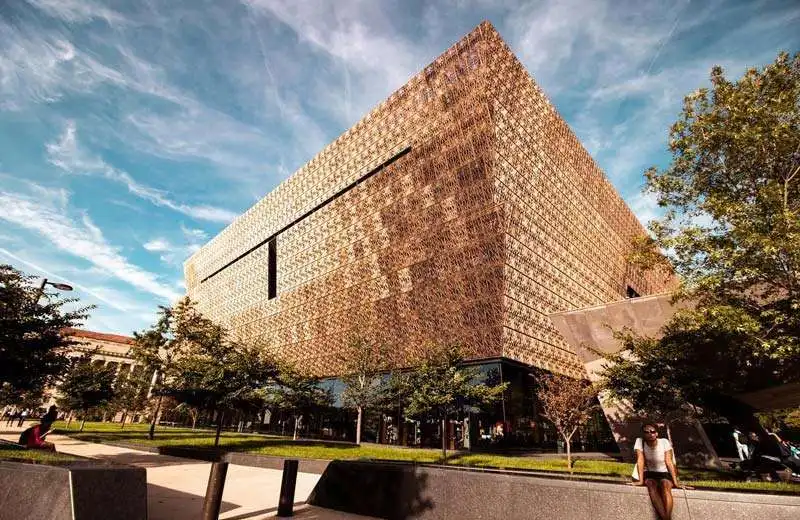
(284,447)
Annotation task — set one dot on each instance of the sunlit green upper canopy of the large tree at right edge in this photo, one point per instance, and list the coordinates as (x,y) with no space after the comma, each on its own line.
(732,194)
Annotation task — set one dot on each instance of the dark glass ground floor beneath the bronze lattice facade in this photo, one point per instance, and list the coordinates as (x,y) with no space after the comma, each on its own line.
(512,423)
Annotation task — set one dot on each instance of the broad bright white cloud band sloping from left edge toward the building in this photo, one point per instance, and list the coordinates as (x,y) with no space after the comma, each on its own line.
(80,238)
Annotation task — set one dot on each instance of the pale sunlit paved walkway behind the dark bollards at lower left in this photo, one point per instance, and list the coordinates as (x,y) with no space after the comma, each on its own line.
(176,486)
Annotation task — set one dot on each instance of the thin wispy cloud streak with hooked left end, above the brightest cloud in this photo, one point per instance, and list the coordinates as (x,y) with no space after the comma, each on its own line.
(67,154)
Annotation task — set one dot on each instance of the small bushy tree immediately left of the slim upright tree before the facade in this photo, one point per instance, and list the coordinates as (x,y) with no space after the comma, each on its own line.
(297,394)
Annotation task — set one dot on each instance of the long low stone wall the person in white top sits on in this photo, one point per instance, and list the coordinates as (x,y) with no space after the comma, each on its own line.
(399,491)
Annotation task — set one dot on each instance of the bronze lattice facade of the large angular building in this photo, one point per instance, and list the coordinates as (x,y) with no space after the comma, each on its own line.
(461,209)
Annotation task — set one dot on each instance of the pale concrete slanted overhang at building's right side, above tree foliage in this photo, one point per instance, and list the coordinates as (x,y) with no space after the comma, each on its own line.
(595,326)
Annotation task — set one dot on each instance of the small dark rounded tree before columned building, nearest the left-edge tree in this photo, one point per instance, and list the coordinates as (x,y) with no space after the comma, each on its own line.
(86,387)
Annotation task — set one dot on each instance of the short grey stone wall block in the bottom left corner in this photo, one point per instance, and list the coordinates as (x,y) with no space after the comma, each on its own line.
(76,491)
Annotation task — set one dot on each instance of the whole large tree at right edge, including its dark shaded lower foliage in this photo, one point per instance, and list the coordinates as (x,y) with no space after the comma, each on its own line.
(732,231)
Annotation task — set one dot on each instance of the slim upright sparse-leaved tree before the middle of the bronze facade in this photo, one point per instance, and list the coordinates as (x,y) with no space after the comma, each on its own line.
(365,363)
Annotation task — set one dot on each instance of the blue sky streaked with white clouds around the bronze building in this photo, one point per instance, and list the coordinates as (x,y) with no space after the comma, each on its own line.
(132,131)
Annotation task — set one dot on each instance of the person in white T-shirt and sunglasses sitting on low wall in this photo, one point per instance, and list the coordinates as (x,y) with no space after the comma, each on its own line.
(656,469)
